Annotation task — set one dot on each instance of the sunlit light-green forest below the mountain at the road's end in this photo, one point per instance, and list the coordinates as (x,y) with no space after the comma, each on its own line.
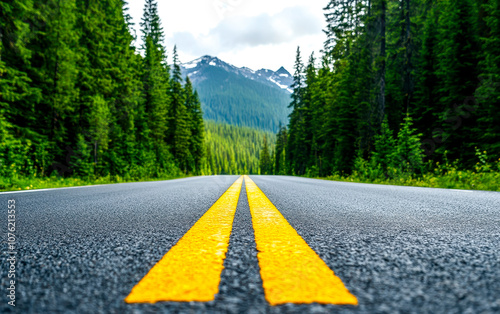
(234,150)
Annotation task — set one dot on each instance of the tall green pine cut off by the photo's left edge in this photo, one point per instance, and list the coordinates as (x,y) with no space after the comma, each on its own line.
(18,94)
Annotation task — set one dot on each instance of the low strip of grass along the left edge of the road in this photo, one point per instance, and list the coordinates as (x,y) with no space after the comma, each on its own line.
(17,184)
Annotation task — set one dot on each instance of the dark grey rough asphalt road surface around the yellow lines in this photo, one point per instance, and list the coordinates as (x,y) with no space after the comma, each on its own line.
(397,249)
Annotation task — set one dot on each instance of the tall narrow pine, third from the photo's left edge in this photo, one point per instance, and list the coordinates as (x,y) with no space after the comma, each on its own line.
(94,86)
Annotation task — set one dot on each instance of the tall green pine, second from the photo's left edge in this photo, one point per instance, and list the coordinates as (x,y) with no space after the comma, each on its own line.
(54,70)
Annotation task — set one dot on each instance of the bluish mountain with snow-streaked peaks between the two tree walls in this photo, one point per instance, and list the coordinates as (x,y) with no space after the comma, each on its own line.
(240,96)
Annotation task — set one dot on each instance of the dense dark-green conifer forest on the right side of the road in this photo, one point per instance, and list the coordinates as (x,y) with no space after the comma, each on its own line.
(401,87)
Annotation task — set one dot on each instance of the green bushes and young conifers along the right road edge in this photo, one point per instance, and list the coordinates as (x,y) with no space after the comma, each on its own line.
(400,161)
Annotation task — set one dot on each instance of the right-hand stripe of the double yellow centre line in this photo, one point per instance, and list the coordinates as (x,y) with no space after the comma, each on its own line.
(291,271)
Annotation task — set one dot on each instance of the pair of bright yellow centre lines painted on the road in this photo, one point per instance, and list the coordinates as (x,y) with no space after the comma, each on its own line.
(291,271)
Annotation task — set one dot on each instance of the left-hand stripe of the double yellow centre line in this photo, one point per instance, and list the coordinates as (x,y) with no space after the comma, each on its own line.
(191,270)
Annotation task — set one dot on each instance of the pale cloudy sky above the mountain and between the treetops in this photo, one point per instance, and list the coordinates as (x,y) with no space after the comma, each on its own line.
(253,33)
